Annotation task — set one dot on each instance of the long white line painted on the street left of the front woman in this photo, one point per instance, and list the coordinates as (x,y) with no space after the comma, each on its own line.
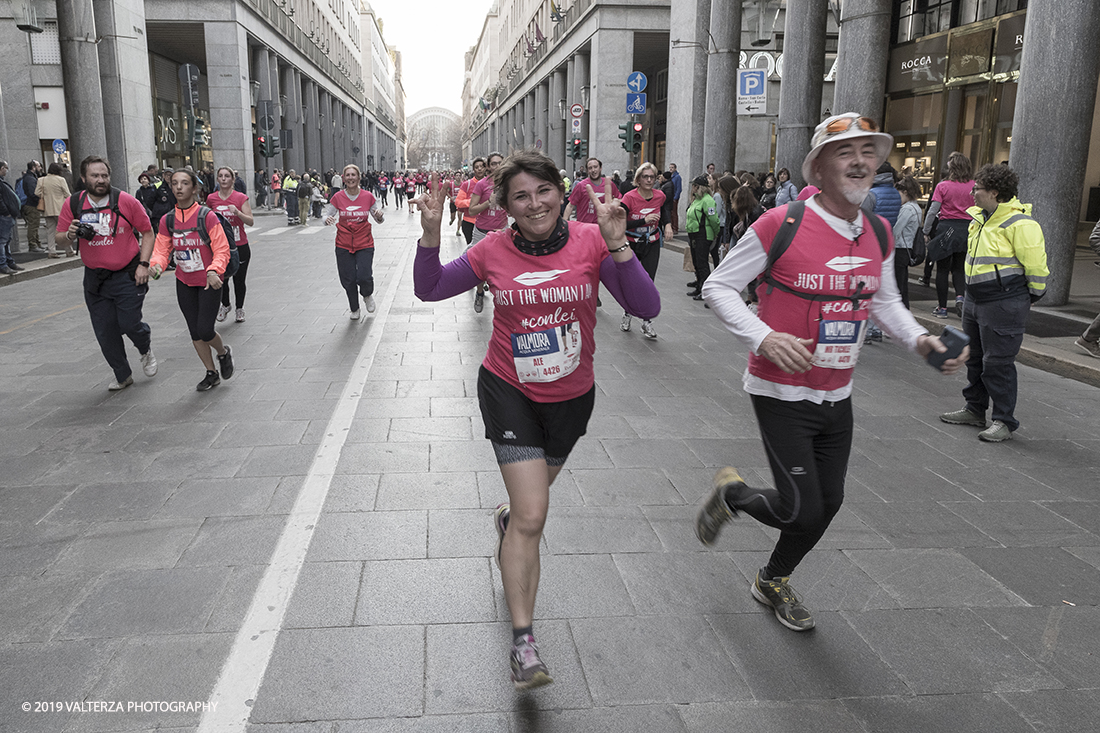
(243,674)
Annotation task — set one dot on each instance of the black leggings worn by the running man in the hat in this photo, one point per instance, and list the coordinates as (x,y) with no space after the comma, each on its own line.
(808,447)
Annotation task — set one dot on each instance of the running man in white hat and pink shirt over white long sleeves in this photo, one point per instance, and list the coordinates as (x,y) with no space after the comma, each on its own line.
(805,345)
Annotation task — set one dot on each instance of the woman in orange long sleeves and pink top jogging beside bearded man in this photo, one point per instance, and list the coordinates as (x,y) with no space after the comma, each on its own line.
(193,237)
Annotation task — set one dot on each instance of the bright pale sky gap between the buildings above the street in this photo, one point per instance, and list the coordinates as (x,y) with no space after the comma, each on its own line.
(433,37)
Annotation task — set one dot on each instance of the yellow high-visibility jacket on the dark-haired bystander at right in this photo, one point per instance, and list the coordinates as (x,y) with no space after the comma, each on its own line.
(1006,254)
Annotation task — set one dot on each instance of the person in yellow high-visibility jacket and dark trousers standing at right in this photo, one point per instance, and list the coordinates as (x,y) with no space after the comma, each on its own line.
(1006,273)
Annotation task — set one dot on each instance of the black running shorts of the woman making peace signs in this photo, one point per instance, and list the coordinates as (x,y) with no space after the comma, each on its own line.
(512,419)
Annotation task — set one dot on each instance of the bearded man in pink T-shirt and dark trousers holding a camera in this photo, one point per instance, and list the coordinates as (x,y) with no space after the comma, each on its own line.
(107,223)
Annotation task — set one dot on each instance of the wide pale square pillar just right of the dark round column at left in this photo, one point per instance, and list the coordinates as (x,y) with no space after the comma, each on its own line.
(124,62)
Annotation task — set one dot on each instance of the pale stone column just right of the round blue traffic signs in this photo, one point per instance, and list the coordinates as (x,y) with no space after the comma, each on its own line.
(688,64)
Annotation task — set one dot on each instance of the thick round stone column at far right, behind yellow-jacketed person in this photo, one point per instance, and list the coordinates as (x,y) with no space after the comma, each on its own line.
(1061,89)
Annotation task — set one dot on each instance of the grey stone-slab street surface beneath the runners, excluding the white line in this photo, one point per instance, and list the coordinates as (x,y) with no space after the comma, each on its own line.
(137,527)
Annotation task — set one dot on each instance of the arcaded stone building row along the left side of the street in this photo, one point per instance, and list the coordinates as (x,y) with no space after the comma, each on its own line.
(200,83)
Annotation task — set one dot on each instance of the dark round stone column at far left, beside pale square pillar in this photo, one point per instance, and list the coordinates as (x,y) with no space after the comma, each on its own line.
(84,97)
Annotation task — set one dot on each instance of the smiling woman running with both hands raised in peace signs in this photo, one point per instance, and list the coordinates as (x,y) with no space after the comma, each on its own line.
(536,385)
